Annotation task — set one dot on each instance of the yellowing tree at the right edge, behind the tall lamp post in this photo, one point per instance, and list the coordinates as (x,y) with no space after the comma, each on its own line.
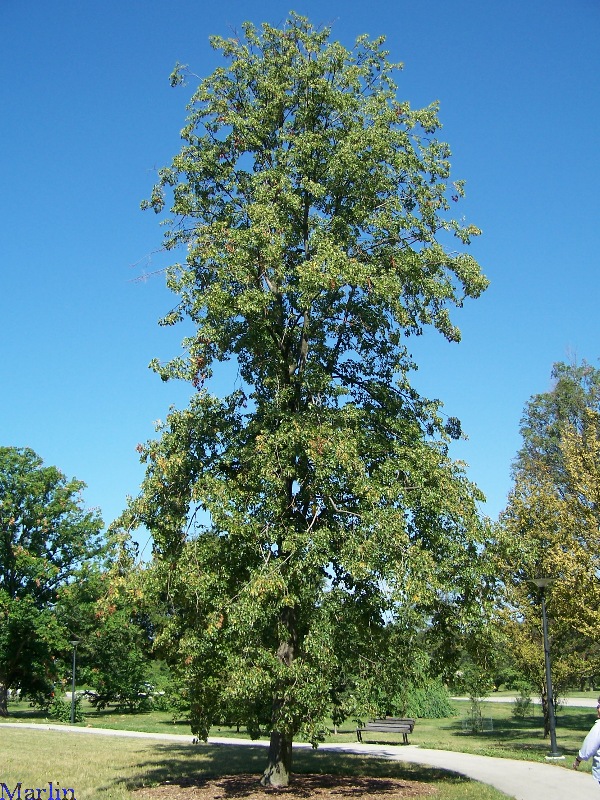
(551,527)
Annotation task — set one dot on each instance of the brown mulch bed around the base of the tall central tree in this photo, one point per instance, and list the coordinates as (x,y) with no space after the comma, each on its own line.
(247,787)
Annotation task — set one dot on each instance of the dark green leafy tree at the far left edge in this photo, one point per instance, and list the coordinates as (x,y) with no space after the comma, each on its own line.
(46,538)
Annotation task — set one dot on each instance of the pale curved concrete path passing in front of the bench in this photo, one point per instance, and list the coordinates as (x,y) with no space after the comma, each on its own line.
(522,780)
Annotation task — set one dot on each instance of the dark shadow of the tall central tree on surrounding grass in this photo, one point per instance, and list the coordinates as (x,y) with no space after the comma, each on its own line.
(193,765)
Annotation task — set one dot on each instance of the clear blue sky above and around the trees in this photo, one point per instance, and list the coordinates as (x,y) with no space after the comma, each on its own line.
(87,115)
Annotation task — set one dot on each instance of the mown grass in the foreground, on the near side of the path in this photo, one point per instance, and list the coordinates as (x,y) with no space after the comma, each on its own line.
(112,768)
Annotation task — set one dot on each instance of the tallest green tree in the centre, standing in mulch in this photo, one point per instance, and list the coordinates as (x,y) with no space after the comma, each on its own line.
(313,209)
